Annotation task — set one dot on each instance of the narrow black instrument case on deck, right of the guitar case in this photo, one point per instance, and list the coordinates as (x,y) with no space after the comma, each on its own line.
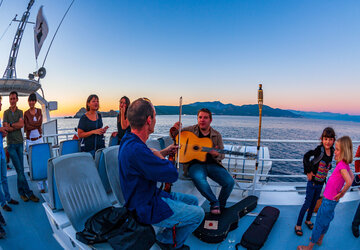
(257,233)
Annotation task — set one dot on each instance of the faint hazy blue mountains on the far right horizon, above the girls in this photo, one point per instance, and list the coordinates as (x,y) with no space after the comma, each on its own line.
(327,116)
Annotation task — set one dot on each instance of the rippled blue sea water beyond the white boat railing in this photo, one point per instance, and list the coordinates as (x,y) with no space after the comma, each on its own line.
(248,126)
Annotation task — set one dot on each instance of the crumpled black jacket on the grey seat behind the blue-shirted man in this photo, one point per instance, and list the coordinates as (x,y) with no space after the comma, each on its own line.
(119,228)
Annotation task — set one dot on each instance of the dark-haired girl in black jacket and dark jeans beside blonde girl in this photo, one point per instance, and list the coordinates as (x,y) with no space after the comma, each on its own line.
(316,171)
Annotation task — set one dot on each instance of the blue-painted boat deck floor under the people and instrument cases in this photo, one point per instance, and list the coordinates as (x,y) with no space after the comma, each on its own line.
(28,227)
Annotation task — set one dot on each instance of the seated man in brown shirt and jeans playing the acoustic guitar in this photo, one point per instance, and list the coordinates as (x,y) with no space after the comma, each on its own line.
(212,167)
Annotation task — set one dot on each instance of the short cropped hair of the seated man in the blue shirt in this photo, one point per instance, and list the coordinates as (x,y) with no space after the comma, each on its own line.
(138,112)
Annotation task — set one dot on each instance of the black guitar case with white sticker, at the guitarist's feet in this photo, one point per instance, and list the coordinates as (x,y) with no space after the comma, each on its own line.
(215,228)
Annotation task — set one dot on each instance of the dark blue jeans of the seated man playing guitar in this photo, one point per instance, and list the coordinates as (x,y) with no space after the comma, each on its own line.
(198,173)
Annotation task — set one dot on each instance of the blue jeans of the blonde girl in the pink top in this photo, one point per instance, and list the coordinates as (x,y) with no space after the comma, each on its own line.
(324,217)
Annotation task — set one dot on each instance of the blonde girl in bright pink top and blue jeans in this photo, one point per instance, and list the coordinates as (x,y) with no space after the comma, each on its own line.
(334,190)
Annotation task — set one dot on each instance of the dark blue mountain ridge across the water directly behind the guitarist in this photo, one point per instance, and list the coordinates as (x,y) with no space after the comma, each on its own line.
(218,108)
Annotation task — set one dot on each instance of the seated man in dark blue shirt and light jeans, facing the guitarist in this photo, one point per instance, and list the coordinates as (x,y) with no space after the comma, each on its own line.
(141,168)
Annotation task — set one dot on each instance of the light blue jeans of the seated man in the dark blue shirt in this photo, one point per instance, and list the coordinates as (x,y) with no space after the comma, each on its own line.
(187,217)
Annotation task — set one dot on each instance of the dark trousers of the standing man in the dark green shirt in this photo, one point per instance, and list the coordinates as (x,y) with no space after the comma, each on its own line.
(17,158)
